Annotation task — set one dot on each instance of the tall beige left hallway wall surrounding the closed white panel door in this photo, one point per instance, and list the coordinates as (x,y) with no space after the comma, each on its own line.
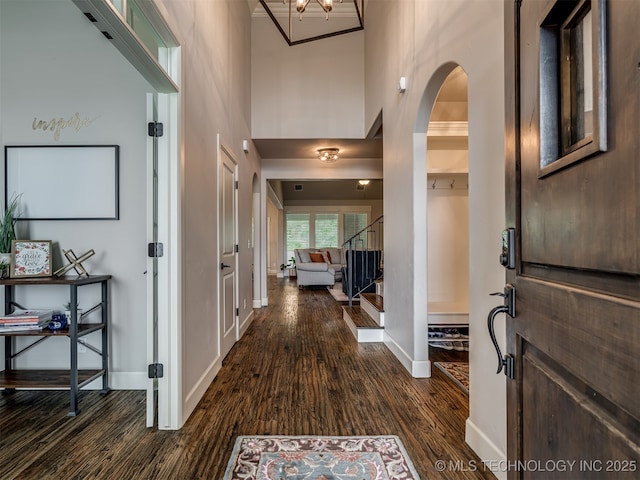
(215,92)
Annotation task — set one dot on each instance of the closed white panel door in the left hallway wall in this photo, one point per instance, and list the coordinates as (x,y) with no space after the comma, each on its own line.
(227,242)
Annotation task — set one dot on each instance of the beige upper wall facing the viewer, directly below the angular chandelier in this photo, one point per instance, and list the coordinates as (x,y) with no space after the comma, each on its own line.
(312,90)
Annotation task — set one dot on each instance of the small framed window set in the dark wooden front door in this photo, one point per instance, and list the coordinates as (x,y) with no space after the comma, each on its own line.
(572,84)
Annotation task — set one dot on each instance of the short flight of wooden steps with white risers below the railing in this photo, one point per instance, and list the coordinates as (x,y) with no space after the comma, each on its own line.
(366,321)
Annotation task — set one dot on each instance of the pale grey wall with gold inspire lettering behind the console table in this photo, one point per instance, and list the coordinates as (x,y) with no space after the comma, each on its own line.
(54,63)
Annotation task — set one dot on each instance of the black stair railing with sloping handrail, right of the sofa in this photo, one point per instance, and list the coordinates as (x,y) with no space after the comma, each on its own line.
(369,239)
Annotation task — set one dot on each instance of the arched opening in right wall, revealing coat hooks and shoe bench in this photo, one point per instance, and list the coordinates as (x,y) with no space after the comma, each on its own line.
(448,227)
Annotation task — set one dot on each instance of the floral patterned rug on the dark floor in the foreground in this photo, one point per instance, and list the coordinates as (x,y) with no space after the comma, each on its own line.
(319,458)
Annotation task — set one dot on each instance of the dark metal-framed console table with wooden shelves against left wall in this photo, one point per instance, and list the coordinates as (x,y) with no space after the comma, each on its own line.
(72,379)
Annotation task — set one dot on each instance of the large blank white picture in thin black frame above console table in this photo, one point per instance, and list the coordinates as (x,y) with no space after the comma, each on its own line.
(56,182)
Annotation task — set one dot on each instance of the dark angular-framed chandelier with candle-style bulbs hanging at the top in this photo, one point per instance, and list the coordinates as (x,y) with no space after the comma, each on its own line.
(287,15)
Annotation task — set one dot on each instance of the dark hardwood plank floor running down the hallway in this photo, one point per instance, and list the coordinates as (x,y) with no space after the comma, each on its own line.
(296,371)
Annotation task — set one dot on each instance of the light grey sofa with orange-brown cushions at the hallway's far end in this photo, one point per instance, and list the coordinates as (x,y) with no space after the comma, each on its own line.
(318,266)
